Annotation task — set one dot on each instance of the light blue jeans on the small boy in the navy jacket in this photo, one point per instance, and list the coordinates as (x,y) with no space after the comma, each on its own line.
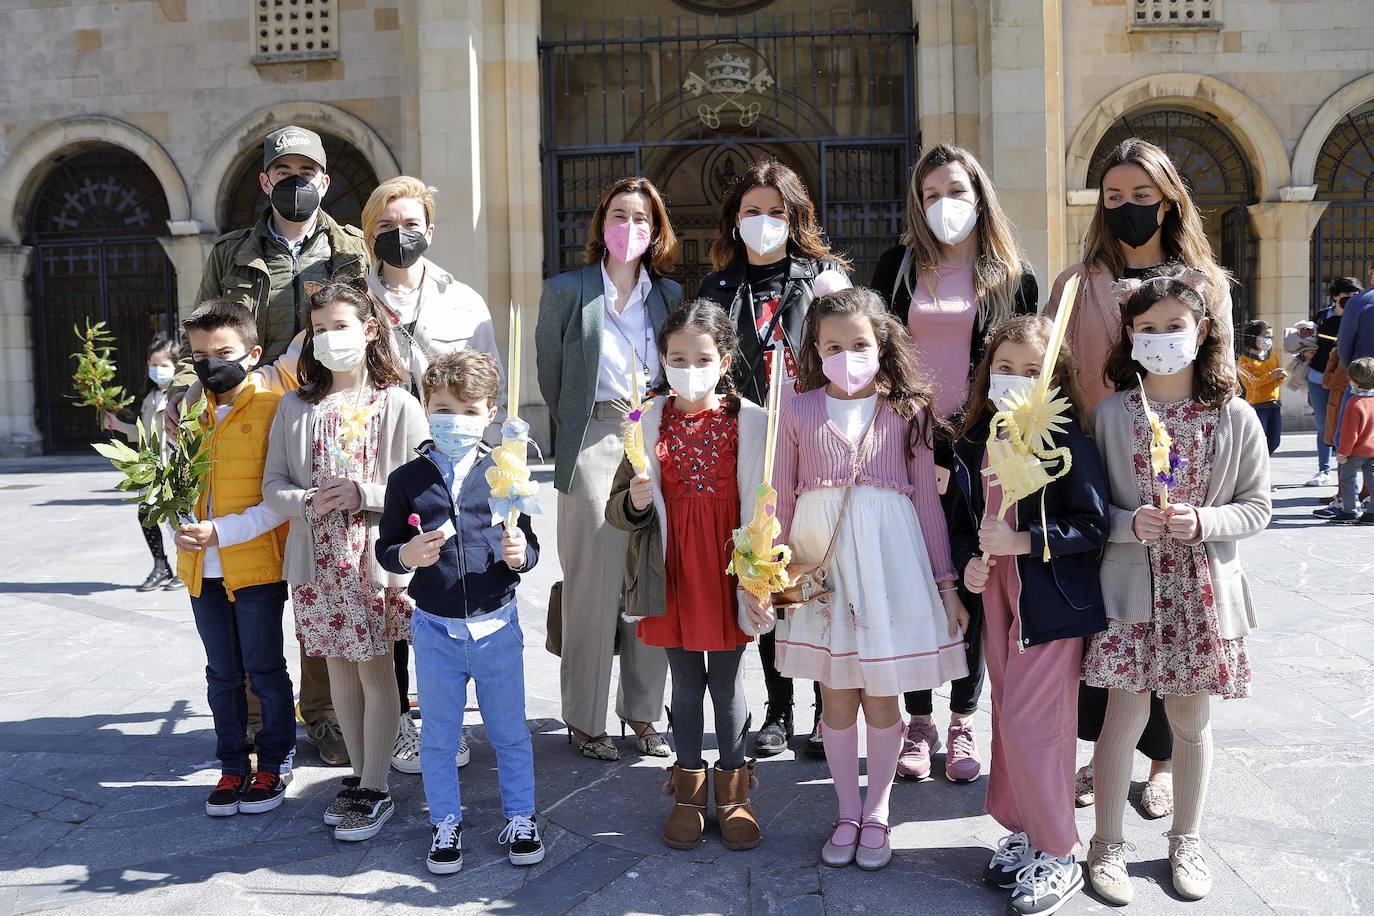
(446,659)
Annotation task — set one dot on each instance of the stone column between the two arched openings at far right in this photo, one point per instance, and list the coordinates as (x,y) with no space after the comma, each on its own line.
(1284,282)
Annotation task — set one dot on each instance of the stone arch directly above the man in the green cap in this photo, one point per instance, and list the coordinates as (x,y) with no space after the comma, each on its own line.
(251,131)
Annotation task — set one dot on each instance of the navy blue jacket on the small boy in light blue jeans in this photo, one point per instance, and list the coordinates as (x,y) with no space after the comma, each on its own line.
(471,577)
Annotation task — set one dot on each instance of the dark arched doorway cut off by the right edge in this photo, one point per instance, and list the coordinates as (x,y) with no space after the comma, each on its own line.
(1343,244)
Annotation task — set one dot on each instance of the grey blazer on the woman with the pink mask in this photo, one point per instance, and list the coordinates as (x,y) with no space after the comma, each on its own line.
(568,355)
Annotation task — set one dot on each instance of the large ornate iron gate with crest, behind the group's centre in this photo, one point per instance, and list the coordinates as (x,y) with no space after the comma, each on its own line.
(690,101)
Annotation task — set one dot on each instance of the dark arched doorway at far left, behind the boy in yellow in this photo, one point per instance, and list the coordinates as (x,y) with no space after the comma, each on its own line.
(94,226)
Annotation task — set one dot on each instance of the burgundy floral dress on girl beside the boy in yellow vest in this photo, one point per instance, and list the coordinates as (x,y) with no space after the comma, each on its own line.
(343,615)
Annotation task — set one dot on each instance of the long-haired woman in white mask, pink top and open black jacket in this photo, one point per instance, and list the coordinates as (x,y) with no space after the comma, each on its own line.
(956,277)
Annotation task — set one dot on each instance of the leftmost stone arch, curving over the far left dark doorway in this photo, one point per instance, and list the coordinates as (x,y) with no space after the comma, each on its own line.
(23,172)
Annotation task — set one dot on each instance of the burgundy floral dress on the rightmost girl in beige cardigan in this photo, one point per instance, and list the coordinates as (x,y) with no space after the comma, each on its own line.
(1180,650)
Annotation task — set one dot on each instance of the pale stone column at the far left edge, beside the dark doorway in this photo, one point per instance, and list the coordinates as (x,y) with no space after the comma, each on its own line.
(19,422)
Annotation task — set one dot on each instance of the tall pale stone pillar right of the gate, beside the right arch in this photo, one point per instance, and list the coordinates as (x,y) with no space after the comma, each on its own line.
(1020,60)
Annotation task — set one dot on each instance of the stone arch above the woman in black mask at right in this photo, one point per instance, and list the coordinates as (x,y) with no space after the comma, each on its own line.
(1251,127)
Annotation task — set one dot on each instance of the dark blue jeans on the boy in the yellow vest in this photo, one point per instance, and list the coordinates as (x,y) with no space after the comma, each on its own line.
(244,638)
